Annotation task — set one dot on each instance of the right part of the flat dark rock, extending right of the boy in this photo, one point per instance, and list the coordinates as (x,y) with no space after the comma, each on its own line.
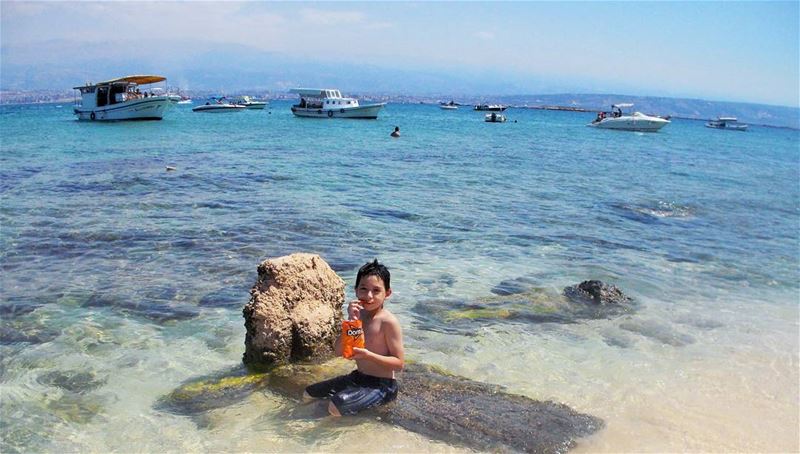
(483,417)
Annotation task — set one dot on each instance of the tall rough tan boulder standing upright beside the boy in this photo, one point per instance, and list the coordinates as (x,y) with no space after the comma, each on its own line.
(294,310)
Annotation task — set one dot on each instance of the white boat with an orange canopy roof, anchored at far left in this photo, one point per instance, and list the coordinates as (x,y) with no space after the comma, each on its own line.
(124,99)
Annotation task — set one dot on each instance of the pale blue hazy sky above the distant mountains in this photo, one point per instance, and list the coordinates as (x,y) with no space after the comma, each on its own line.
(733,51)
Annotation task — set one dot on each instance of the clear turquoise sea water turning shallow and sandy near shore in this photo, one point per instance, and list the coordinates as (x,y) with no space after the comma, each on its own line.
(122,280)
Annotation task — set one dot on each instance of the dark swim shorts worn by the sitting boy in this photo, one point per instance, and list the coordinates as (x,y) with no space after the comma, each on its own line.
(355,392)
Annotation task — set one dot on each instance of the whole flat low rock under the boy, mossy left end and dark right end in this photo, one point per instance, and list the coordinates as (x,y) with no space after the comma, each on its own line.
(436,404)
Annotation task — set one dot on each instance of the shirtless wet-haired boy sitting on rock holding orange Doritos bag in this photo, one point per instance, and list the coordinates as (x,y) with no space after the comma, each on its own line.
(373,383)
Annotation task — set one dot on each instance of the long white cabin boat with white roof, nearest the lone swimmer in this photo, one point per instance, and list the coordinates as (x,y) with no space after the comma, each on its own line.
(329,103)
